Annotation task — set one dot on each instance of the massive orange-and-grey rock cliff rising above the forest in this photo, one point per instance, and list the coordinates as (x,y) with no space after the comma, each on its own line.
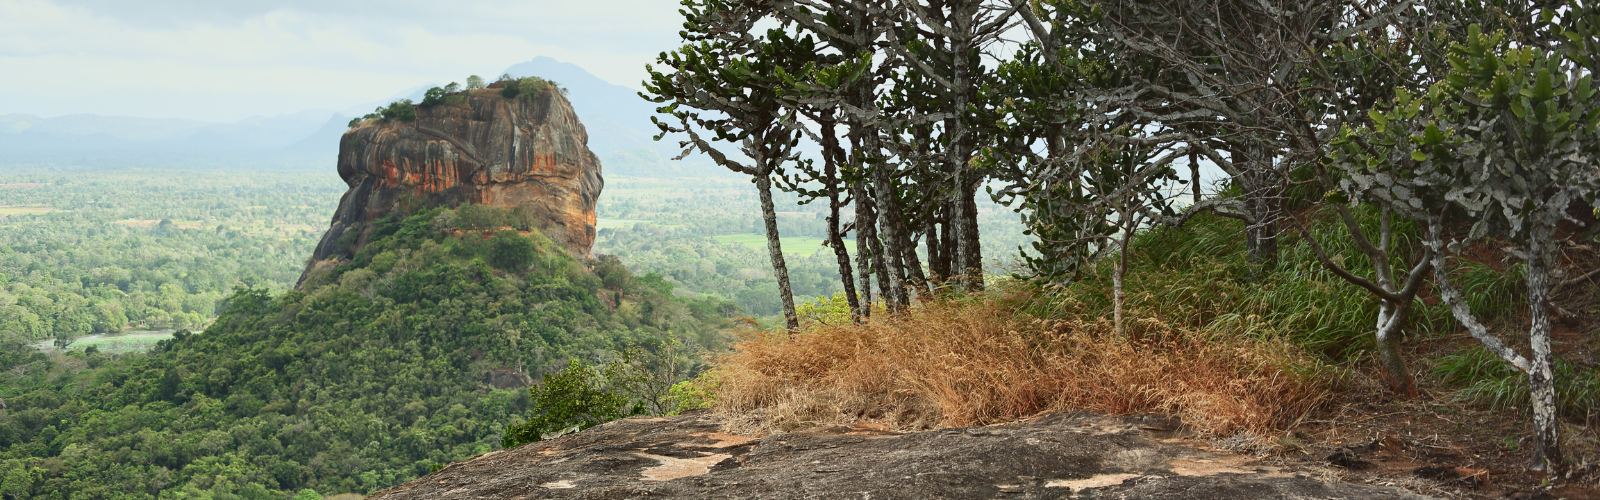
(530,151)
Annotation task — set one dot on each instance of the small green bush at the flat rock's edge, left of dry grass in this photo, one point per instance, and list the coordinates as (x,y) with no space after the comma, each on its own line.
(570,401)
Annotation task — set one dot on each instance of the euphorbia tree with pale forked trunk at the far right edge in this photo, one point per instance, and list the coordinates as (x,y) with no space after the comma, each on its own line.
(1511,140)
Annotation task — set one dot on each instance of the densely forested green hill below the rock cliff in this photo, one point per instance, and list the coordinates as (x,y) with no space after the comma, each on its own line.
(374,376)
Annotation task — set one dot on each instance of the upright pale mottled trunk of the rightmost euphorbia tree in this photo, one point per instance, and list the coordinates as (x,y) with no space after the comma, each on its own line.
(1542,374)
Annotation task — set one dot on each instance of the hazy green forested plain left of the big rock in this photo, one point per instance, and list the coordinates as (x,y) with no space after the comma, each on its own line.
(103,264)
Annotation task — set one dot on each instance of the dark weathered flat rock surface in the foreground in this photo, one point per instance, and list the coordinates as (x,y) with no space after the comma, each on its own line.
(1050,458)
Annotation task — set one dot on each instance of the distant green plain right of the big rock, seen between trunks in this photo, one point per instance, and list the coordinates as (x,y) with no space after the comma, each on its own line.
(705,238)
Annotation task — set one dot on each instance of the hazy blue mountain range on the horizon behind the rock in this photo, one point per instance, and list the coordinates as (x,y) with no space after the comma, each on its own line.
(615,116)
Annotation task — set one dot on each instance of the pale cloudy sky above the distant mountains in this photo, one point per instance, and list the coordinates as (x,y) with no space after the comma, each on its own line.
(226,60)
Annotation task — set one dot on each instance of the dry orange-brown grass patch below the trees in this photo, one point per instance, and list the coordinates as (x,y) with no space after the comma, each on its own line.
(985,360)
